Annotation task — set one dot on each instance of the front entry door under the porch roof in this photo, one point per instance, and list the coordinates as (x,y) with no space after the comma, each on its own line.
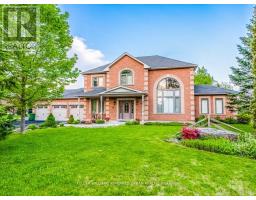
(126,109)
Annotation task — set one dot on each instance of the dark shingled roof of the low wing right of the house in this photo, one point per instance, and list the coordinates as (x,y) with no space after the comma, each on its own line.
(212,90)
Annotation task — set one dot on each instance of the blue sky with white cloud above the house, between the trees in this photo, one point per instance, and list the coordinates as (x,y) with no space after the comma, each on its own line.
(202,34)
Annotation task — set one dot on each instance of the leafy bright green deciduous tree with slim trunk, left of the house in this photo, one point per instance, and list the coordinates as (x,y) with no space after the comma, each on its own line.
(42,73)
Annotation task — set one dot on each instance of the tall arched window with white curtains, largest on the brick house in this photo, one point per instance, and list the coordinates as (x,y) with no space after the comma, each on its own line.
(168,96)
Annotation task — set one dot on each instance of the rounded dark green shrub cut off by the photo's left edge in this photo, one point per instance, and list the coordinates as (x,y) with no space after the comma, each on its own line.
(6,123)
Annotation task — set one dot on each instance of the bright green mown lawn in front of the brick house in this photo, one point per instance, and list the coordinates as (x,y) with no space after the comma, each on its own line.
(126,160)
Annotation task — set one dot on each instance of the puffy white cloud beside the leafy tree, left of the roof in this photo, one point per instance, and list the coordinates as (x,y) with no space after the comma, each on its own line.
(87,59)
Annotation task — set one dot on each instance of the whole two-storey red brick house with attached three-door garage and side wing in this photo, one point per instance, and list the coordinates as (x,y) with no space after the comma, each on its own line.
(148,88)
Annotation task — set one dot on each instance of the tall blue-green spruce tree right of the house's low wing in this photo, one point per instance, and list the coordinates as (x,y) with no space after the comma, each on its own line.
(242,74)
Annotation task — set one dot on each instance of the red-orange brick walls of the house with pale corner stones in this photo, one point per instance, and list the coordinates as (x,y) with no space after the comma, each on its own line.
(146,81)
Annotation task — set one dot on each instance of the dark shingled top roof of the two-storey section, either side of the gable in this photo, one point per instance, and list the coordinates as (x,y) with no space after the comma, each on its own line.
(154,62)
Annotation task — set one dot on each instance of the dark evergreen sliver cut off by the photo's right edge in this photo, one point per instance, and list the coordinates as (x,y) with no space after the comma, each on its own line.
(253,48)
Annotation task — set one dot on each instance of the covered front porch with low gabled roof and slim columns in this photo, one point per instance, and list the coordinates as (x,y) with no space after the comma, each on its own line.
(119,104)
